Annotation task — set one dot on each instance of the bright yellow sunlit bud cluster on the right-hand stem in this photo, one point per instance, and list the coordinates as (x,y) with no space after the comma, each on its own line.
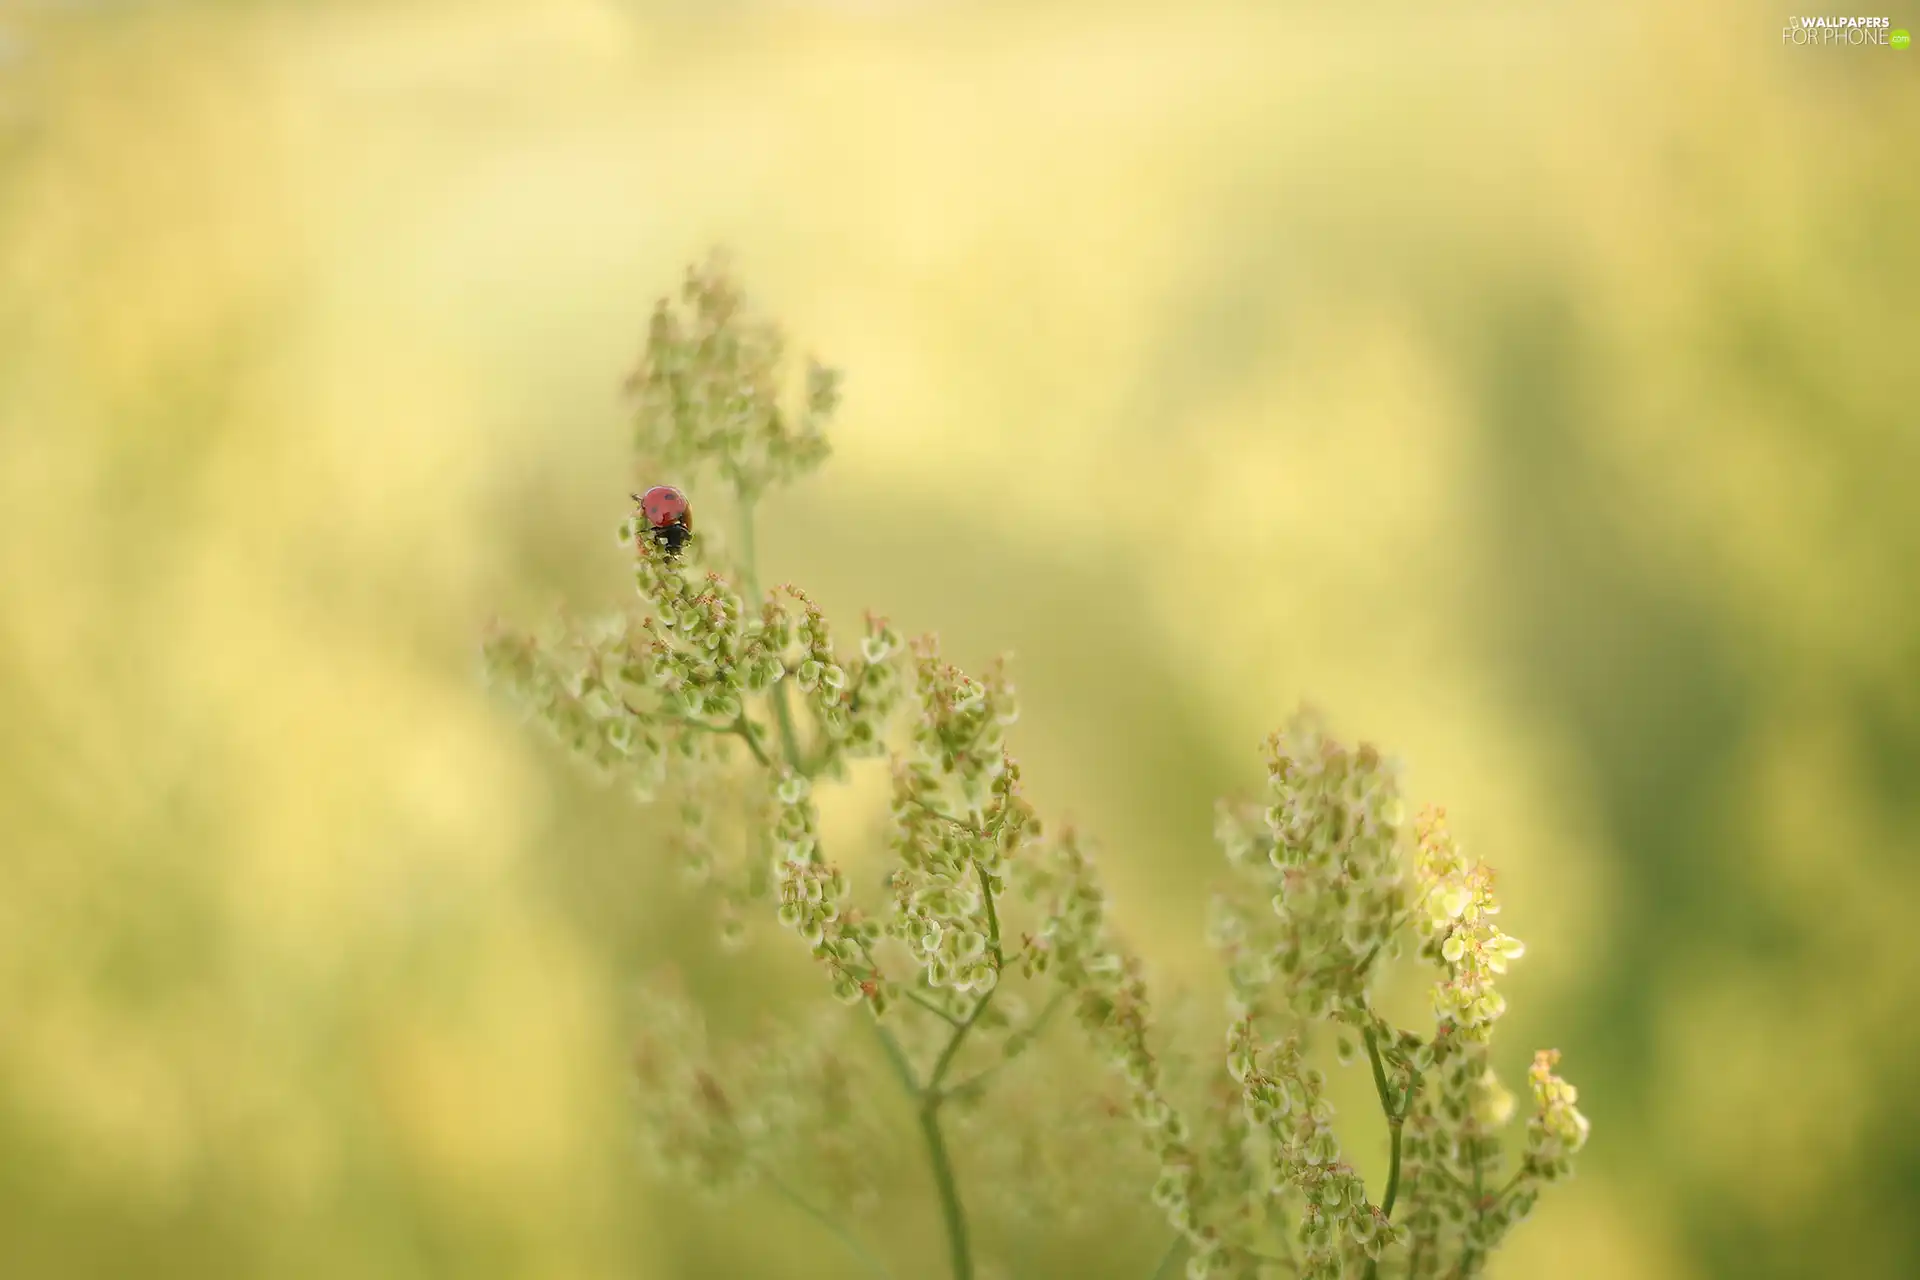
(1456,928)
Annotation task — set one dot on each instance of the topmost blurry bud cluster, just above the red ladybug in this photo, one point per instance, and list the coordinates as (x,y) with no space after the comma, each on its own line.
(709,391)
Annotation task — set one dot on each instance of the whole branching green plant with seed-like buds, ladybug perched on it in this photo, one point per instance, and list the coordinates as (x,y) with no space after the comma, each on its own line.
(738,703)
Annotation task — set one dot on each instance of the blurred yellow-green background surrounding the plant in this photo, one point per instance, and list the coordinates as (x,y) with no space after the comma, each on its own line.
(1527,387)
